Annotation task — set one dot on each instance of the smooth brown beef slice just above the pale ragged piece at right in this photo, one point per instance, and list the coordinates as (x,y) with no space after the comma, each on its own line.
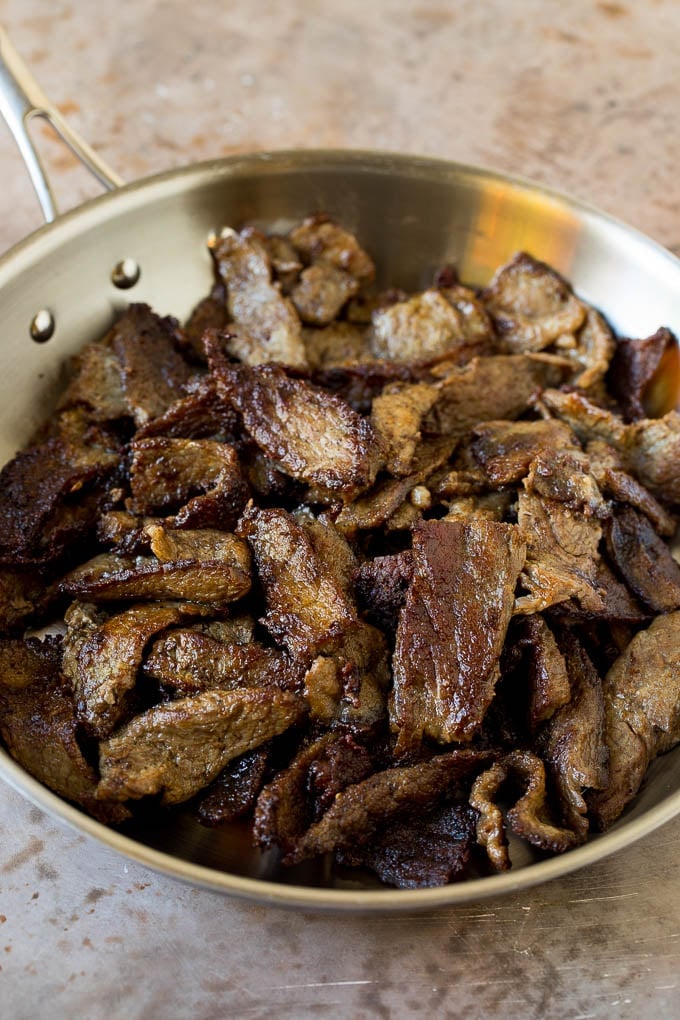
(506,449)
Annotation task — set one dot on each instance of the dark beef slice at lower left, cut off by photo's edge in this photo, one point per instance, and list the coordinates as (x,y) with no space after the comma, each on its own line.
(38,725)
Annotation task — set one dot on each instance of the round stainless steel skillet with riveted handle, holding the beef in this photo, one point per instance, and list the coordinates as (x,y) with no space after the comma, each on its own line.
(59,290)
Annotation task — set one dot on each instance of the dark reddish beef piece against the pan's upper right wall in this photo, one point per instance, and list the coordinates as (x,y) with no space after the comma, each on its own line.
(635,366)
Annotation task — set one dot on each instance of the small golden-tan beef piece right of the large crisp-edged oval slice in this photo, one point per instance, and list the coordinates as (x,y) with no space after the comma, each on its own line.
(398,415)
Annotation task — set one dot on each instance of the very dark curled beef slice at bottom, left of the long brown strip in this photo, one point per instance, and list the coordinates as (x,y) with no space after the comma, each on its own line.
(299,795)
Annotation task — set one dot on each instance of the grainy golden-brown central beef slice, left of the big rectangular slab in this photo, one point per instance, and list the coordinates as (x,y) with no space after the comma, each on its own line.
(307,608)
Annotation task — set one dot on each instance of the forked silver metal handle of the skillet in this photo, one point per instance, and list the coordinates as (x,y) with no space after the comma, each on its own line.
(22,99)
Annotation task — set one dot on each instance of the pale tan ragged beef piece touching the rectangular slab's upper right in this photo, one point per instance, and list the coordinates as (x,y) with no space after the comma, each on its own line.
(562,557)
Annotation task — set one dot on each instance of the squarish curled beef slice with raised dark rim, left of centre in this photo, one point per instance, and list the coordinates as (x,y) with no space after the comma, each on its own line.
(199,481)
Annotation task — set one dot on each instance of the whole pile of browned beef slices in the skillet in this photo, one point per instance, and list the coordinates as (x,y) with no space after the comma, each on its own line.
(388,575)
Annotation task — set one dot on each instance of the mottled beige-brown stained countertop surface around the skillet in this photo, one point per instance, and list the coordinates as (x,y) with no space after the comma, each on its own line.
(585,97)
